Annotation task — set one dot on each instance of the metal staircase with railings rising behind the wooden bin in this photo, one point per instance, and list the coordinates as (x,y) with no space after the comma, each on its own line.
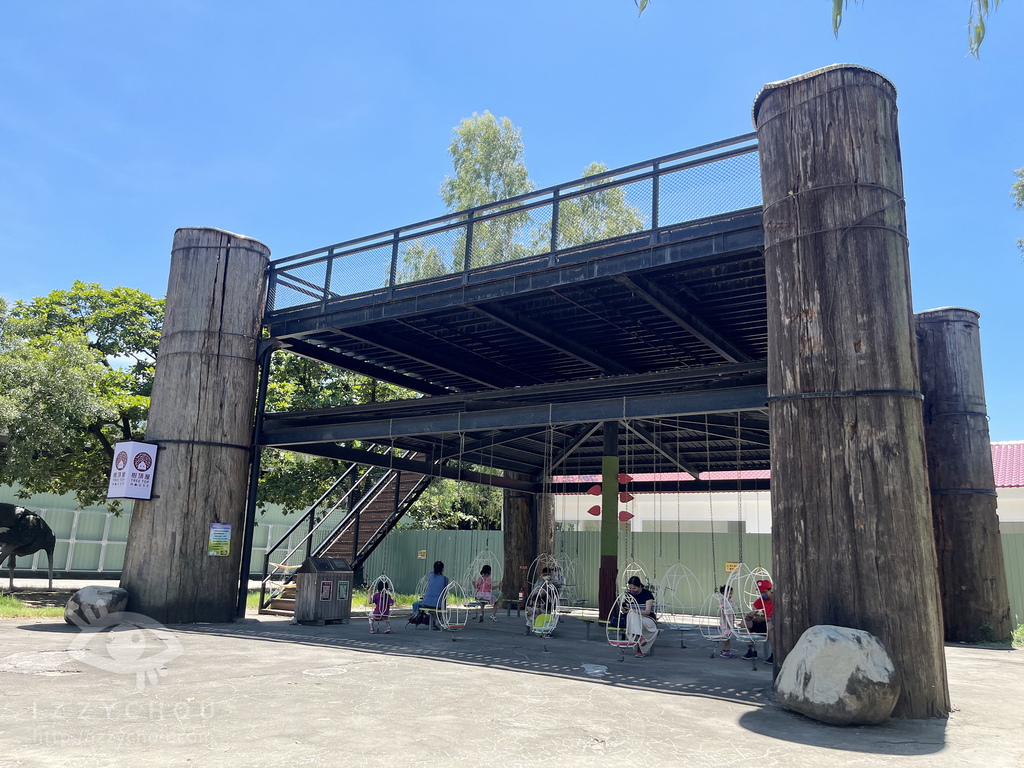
(349,522)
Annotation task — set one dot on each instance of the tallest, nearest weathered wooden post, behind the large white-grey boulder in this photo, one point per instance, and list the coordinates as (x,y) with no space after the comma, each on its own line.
(852,534)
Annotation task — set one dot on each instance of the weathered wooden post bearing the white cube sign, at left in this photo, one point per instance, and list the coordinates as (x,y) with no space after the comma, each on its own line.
(201,417)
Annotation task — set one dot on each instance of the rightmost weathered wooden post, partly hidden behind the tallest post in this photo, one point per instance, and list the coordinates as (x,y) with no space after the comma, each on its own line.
(972,576)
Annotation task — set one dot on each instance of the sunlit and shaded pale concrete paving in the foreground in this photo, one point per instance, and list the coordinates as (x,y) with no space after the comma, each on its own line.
(265,693)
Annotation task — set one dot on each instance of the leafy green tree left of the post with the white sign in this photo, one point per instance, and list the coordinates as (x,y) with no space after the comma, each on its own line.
(76,372)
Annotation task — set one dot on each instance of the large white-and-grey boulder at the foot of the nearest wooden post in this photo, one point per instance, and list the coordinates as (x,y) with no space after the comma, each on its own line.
(839,676)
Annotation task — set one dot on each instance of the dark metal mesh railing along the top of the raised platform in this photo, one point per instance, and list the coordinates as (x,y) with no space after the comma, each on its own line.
(689,186)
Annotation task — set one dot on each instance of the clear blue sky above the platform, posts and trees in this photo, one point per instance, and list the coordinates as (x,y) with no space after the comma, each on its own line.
(305,124)
